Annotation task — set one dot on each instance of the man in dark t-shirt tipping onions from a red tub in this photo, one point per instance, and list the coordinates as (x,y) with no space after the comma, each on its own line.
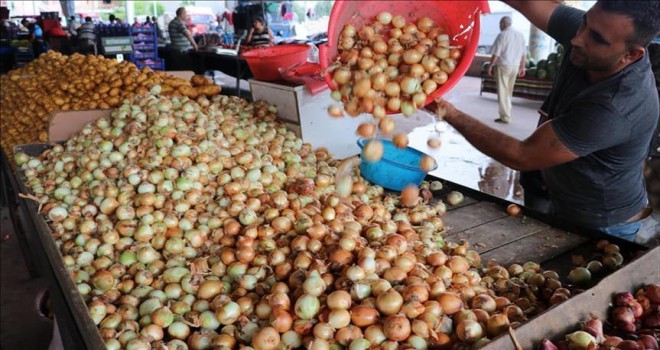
(597,123)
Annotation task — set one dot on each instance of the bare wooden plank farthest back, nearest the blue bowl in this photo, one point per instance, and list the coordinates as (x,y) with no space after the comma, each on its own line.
(471,216)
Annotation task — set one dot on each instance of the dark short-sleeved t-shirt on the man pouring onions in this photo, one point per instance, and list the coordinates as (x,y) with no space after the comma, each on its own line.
(608,124)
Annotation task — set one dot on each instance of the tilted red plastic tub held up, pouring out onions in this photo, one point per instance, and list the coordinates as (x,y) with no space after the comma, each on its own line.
(461,20)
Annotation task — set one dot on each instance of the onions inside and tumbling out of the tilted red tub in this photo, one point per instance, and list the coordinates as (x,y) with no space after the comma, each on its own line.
(390,66)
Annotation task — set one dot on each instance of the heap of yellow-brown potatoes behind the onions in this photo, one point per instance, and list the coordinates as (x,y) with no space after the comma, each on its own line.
(56,82)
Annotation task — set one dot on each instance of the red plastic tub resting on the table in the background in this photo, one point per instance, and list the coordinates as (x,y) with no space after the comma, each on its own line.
(265,62)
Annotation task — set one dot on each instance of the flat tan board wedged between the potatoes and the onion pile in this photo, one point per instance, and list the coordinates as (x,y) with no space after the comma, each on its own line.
(63,124)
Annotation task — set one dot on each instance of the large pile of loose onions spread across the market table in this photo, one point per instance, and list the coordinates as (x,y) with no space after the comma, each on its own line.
(206,224)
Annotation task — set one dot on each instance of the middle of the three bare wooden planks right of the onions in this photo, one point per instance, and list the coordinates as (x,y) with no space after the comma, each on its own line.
(498,233)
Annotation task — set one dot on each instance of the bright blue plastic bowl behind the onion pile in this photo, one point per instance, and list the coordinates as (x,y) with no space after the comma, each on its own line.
(398,168)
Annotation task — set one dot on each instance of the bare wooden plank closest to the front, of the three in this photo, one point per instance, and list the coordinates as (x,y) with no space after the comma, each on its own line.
(539,247)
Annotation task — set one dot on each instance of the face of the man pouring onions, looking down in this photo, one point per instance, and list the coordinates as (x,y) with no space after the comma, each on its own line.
(600,43)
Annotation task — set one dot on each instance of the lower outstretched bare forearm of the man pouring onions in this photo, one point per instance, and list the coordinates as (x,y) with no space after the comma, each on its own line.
(493,143)
